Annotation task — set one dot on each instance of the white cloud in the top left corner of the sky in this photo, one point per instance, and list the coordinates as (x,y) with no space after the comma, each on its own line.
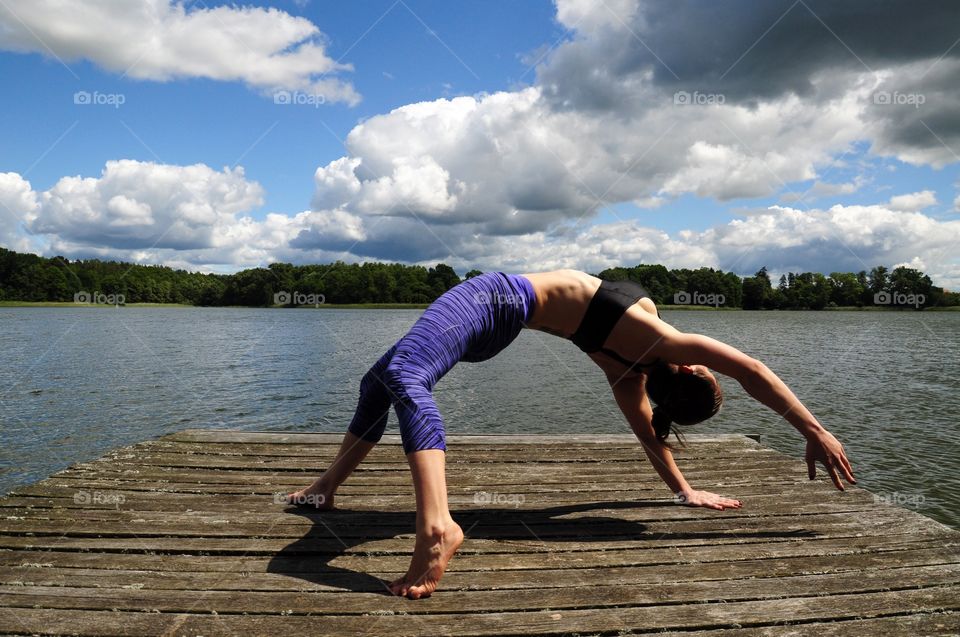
(267,49)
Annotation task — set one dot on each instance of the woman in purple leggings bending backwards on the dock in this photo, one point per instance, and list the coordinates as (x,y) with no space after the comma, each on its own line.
(619,328)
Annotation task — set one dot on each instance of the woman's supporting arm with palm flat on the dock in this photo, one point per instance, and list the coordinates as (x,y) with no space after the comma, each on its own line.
(635,406)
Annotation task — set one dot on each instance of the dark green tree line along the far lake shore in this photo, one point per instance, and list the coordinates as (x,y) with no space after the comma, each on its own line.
(29,277)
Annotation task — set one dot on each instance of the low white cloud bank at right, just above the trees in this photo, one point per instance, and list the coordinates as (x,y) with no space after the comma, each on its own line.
(841,238)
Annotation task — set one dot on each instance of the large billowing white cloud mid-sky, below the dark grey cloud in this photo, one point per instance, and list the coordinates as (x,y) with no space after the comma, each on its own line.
(513,164)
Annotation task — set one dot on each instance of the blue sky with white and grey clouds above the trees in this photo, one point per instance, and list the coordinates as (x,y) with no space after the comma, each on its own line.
(526,136)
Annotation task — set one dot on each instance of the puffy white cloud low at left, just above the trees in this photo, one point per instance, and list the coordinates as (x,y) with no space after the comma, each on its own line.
(185,216)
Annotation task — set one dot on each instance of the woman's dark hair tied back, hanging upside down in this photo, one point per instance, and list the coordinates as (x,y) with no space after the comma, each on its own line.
(681,397)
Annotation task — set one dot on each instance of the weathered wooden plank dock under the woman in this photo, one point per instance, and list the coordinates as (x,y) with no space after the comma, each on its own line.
(185,535)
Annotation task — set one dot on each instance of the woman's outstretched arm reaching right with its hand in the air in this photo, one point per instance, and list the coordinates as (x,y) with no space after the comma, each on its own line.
(767,388)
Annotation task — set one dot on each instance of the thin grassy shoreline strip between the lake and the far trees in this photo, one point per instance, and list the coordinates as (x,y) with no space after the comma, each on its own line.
(420,306)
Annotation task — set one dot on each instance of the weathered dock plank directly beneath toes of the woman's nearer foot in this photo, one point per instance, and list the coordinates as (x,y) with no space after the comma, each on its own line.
(601,595)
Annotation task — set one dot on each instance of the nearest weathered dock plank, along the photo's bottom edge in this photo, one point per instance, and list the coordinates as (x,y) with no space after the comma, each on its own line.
(544,622)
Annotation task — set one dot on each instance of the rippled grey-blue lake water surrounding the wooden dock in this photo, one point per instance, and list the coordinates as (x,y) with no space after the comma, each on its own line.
(75,382)
